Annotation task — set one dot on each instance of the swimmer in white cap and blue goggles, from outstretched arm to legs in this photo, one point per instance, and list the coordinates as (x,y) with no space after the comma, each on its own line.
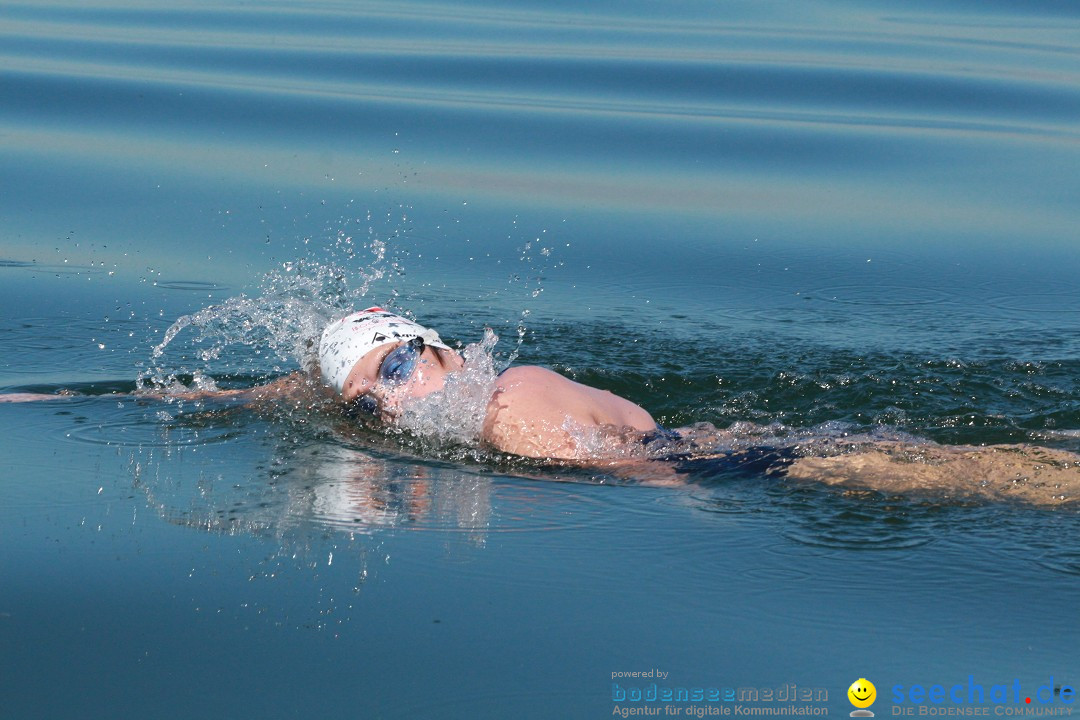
(374,363)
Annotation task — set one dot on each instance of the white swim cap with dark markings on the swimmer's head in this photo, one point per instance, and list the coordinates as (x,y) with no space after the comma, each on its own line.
(345,342)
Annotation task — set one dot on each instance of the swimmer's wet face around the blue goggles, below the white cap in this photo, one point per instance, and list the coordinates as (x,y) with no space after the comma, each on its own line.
(369,377)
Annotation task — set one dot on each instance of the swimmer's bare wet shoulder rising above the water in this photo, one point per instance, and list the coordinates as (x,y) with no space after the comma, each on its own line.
(534,411)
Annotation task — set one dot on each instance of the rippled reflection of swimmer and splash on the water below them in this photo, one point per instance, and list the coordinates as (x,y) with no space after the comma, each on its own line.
(314,474)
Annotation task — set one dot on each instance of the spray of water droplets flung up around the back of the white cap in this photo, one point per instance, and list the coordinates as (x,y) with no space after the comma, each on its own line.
(255,337)
